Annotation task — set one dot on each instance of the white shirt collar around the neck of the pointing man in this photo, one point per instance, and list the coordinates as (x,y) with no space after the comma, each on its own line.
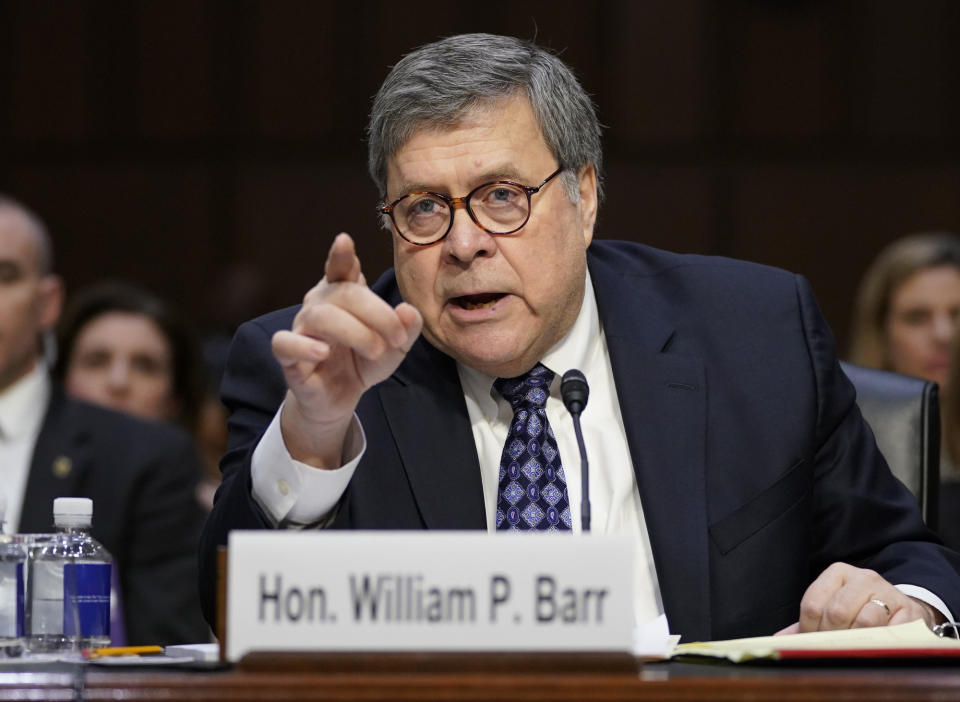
(572,351)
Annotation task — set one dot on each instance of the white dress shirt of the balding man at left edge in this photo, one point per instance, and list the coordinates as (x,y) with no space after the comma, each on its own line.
(22,407)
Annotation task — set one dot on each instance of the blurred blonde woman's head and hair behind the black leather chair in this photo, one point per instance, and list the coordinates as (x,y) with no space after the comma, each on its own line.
(906,320)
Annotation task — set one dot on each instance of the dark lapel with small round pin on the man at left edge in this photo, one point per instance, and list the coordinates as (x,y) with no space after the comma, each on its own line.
(59,461)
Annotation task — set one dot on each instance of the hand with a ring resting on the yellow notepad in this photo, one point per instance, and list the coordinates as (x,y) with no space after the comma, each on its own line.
(846,597)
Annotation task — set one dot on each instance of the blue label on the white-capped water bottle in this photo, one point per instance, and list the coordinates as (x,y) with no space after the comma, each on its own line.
(86,599)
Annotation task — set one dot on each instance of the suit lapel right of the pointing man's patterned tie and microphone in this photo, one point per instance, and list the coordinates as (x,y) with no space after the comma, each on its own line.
(663,403)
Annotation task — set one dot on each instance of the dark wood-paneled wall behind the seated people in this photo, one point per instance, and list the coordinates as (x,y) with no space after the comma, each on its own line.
(164,140)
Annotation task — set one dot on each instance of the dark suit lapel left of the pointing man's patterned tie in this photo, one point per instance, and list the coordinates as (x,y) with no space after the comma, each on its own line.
(424,405)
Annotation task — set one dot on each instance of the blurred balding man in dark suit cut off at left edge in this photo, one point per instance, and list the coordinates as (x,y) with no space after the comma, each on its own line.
(140,476)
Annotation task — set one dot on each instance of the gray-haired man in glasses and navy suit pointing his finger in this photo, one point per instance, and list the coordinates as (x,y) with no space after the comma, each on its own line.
(727,441)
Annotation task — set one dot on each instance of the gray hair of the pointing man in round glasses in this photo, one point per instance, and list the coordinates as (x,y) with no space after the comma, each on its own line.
(437,84)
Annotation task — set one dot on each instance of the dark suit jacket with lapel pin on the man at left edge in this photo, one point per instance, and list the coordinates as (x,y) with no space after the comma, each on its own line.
(141,477)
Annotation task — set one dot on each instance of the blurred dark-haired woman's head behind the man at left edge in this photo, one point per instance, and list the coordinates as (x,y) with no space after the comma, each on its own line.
(121,346)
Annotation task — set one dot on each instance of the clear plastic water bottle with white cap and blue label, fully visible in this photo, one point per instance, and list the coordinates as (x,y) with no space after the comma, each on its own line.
(68,588)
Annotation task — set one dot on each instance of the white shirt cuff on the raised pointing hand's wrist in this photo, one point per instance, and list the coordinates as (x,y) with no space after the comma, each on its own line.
(292,492)
